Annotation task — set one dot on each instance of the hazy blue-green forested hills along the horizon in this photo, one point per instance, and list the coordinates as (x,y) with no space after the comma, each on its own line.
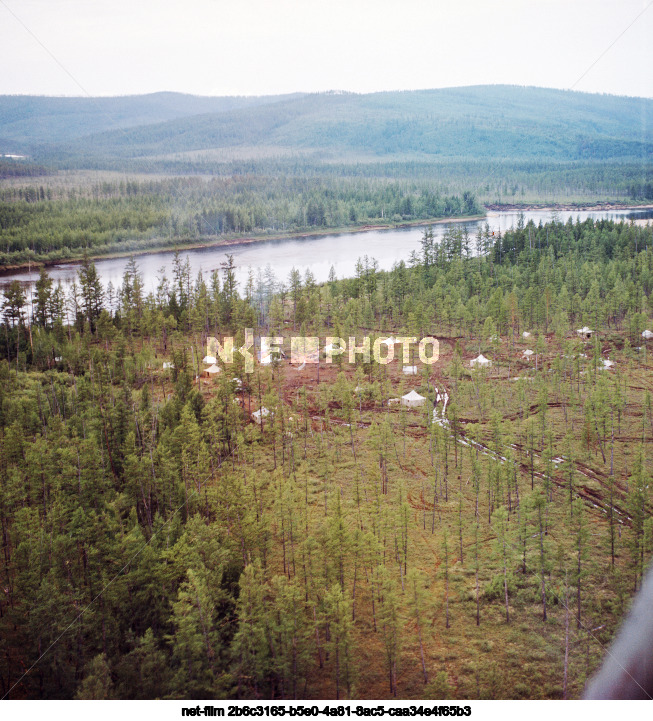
(480,122)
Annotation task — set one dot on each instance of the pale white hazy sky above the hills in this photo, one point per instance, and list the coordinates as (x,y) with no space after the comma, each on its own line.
(252,47)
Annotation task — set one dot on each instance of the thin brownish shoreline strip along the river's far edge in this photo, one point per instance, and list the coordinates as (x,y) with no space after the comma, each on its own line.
(251,238)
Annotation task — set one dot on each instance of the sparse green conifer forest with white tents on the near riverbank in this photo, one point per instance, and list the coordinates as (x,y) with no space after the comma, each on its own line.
(159,543)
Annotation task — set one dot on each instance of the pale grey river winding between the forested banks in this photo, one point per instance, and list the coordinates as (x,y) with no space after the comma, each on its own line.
(319,253)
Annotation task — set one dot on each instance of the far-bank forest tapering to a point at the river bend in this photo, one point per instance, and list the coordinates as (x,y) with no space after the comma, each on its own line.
(46,223)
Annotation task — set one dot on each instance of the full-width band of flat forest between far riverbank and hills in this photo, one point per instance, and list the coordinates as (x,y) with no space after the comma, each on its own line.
(51,218)
